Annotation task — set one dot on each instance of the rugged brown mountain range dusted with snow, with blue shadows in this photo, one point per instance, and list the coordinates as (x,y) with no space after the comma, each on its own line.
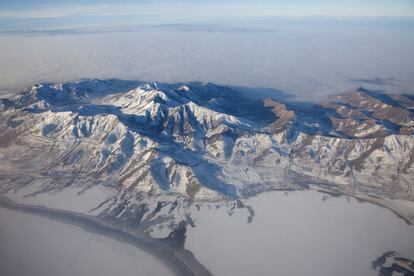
(162,147)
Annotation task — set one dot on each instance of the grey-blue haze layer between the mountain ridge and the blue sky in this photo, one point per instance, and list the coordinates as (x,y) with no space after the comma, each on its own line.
(306,57)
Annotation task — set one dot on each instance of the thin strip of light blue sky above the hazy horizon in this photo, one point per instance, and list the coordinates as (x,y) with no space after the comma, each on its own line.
(45,13)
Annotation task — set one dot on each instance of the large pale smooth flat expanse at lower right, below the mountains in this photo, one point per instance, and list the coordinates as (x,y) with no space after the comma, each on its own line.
(298,234)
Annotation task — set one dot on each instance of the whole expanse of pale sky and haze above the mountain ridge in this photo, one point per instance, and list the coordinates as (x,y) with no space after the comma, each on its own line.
(230,42)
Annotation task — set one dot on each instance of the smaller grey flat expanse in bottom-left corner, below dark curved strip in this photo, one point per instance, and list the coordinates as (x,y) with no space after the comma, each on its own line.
(38,246)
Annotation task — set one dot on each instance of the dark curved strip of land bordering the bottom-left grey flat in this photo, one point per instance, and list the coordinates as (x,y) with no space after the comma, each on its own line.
(180,261)
